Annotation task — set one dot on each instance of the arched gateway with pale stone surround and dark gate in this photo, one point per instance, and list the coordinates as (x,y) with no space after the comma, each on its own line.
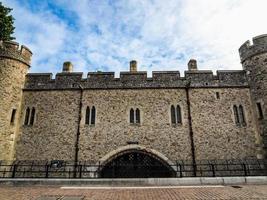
(134,161)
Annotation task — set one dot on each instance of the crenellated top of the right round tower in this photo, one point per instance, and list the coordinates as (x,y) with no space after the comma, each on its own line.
(248,50)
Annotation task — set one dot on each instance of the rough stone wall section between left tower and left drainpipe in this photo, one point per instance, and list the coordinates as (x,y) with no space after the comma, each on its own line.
(53,134)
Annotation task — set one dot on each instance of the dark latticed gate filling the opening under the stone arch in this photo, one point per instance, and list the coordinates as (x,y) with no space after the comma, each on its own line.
(136,164)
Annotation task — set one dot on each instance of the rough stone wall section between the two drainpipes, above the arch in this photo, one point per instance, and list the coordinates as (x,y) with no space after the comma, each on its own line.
(113,130)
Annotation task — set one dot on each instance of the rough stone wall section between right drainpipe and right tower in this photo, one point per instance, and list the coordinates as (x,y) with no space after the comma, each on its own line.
(216,135)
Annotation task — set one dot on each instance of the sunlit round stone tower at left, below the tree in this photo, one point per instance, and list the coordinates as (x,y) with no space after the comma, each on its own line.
(14,65)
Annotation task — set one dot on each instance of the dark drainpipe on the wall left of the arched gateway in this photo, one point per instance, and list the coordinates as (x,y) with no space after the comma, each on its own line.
(78,131)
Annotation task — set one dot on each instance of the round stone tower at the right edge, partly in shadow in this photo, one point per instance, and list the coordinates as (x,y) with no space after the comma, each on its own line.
(254,61)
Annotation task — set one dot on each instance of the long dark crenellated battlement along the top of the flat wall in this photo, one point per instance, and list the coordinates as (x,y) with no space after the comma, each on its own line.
(159,79)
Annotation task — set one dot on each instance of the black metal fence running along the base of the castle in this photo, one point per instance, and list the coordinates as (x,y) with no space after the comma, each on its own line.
(67,169)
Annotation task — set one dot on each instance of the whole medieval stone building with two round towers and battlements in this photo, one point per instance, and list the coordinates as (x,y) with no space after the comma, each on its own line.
(99,118)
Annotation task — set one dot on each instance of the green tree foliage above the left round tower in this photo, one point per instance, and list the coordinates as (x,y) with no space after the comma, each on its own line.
(6,23)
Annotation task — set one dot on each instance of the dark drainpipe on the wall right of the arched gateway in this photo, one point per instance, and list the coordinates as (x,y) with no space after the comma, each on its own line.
(187,87)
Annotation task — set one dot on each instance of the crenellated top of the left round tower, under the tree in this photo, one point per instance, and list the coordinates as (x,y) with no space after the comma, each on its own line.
(13,50)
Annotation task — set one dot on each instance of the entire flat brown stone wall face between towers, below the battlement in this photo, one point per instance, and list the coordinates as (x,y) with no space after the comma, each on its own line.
(215,134)
